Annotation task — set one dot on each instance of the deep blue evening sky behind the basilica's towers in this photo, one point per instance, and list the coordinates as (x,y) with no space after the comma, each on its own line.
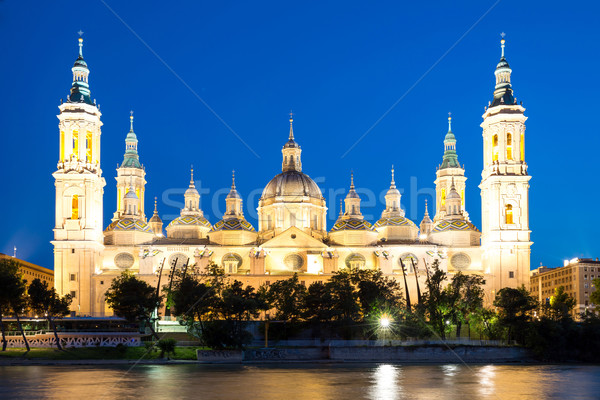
(339,65)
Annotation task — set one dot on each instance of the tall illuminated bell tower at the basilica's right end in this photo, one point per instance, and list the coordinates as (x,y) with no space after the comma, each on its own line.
(505,187)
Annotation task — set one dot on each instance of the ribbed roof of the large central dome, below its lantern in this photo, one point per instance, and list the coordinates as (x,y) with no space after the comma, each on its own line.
(293,184)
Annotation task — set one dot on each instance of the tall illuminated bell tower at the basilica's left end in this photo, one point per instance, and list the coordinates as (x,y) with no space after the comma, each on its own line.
(78,238)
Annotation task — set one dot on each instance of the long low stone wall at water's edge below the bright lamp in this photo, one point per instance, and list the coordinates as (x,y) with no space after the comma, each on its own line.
(436,354)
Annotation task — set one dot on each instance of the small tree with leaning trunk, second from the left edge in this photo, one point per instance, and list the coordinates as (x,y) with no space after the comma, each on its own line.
(45,301)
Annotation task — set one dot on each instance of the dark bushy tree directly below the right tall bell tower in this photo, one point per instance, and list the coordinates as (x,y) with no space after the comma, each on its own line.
(515,307)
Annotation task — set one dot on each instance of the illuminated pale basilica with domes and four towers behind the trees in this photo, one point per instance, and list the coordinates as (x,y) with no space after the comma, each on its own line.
(292,235)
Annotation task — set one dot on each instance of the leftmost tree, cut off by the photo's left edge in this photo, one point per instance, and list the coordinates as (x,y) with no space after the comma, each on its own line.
(13,297)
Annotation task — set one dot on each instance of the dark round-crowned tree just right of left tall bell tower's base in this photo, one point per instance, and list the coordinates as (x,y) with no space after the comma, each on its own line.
(133,299)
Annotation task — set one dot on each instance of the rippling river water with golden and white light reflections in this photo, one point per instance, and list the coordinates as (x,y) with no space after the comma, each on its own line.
(301,381)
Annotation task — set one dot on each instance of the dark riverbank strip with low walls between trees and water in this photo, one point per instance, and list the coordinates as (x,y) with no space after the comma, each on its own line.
(363,354)
